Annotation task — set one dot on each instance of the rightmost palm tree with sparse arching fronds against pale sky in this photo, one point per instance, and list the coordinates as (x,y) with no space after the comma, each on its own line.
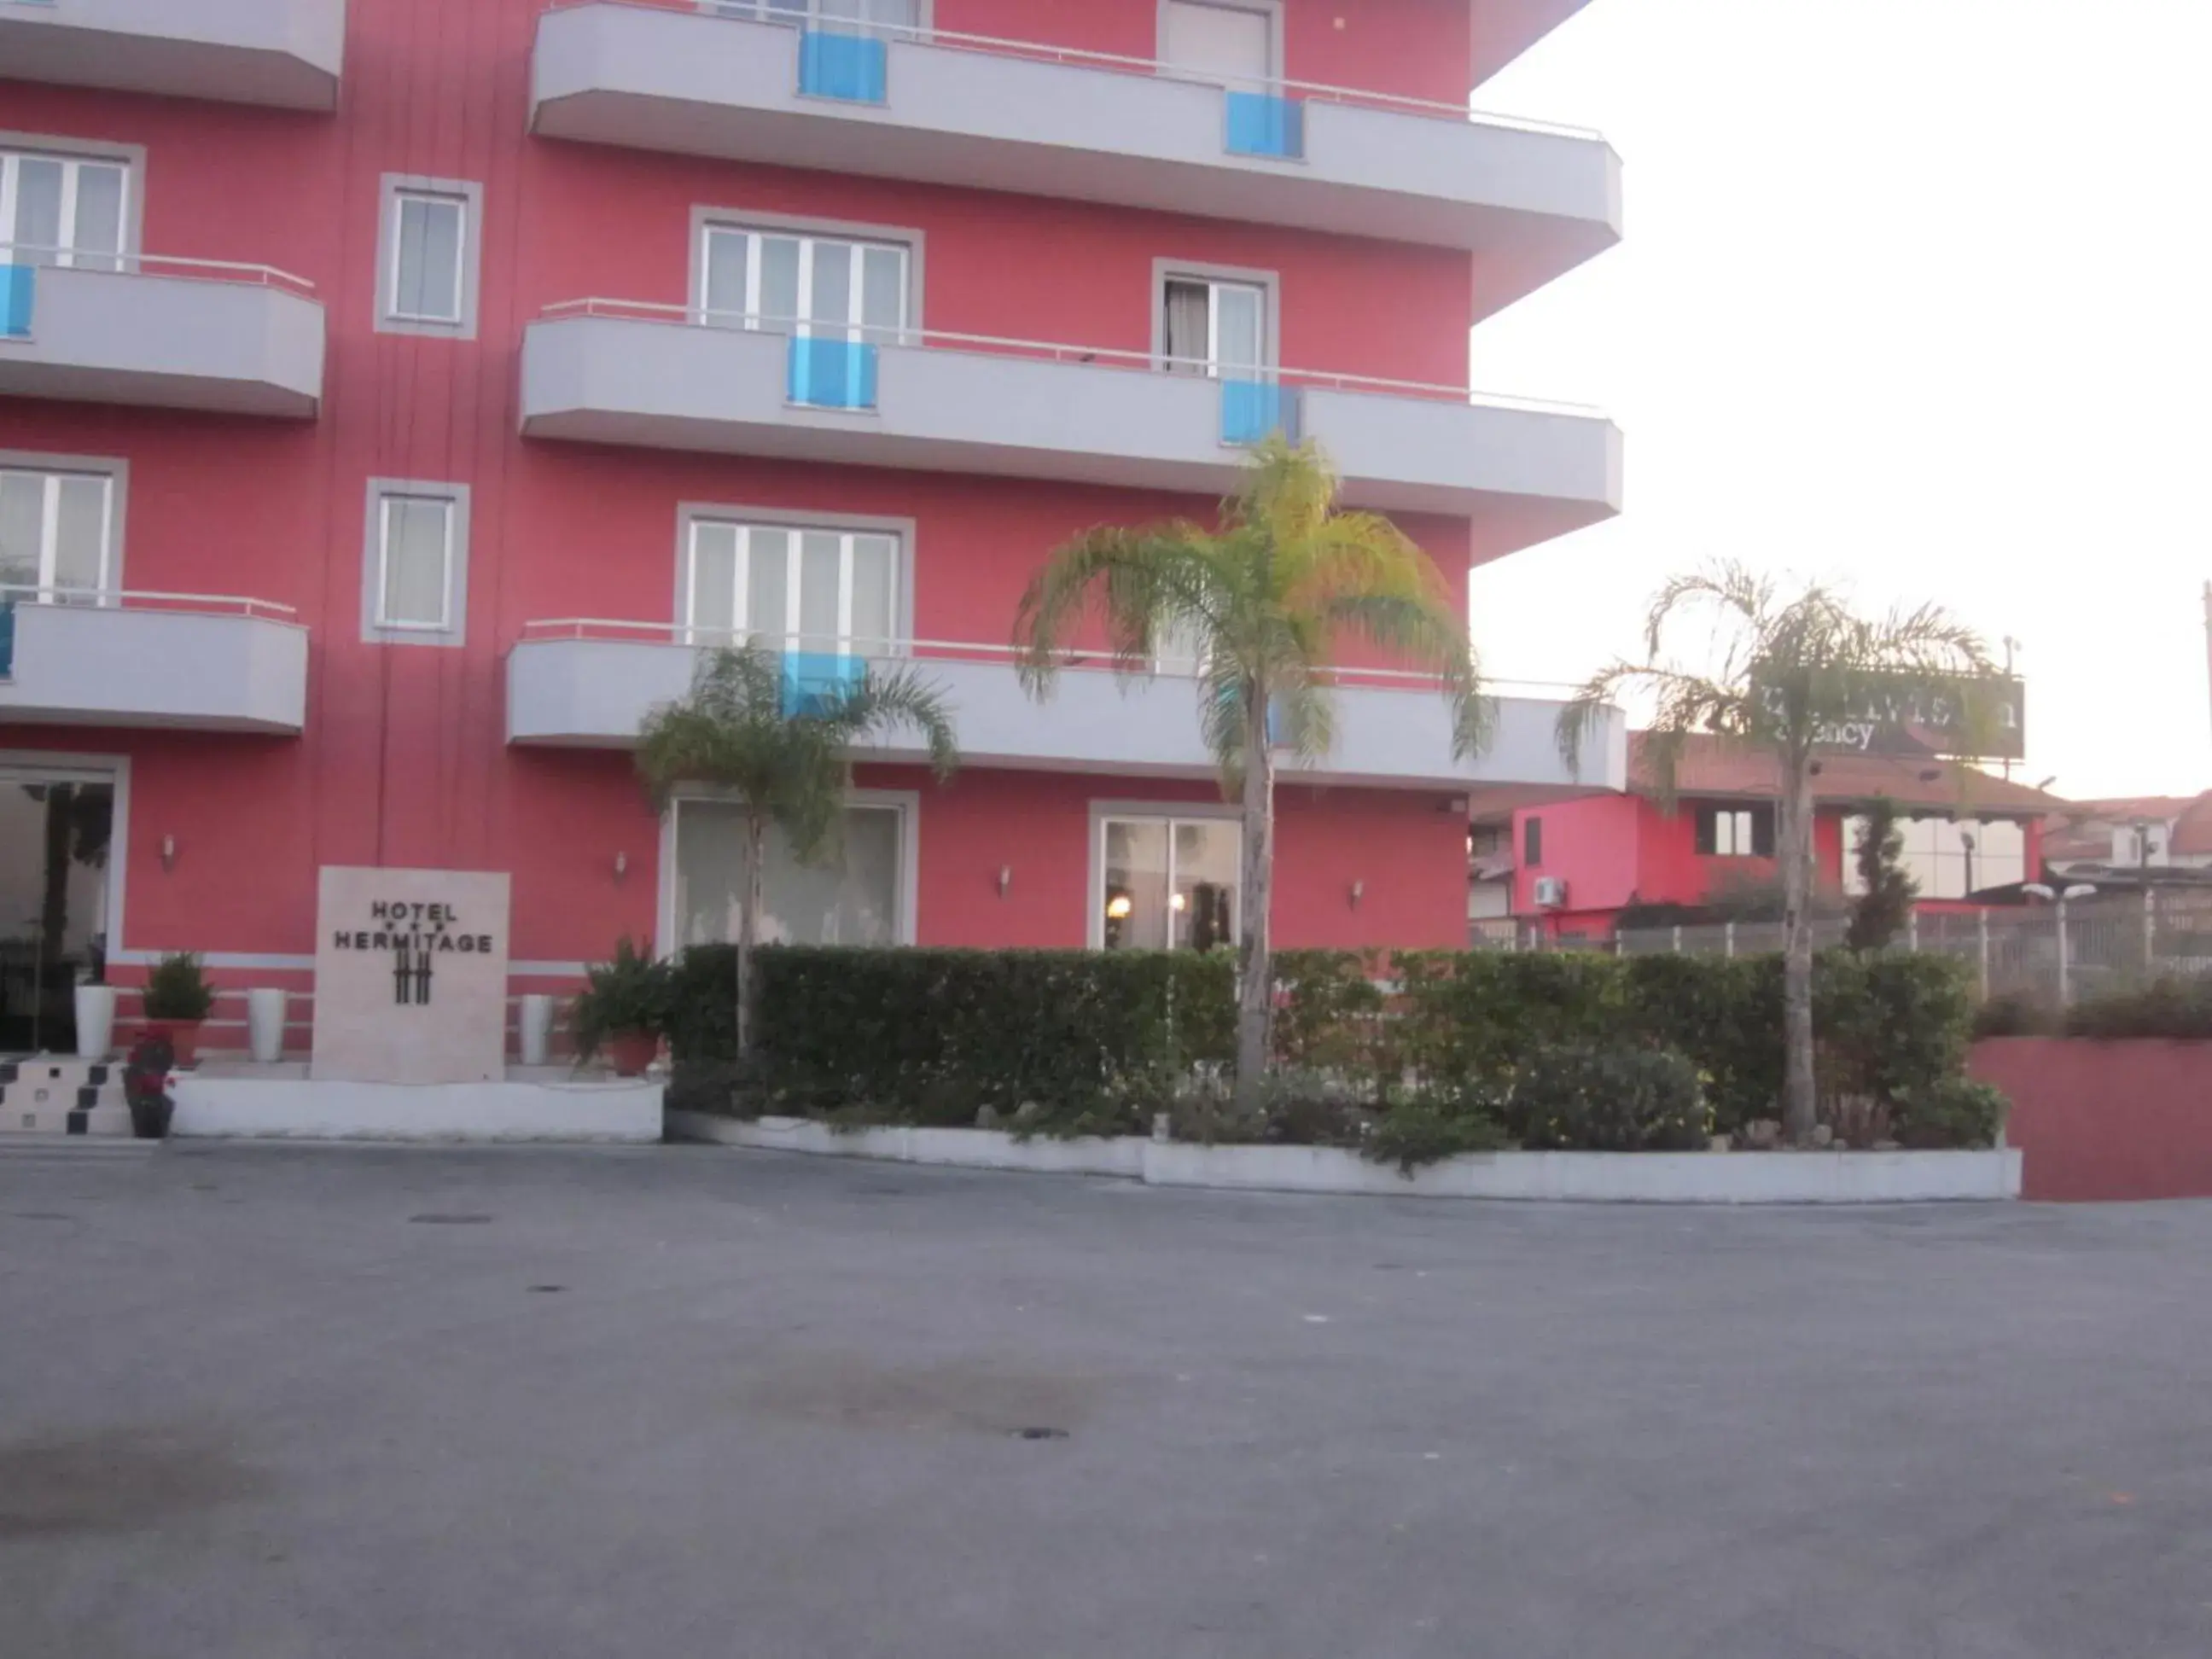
(1788,674)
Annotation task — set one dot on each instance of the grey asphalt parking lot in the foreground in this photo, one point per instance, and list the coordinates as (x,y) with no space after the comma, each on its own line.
(315,1404)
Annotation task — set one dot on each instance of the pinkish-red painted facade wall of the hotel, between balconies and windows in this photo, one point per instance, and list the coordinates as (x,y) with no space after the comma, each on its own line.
(406,758)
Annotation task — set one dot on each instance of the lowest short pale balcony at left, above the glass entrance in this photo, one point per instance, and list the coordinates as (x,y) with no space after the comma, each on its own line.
(158,660)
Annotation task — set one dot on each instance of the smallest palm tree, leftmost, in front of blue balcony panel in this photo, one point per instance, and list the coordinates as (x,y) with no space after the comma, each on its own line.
(780,744)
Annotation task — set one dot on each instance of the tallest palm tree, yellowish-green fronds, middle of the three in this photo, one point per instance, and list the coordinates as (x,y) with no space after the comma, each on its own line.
(1262,605)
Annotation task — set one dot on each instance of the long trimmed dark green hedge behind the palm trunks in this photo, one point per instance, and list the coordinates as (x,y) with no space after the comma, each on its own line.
(1100,1041)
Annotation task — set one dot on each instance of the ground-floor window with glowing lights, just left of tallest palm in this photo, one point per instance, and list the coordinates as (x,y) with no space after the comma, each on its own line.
(1167,884)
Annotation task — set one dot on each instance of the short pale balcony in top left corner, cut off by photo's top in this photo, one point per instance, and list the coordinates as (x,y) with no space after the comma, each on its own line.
(238,52)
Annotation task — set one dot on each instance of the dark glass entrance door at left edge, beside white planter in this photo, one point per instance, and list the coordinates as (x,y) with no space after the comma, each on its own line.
(54,901)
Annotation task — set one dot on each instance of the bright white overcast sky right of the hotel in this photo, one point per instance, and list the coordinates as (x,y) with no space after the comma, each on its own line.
(1919,295)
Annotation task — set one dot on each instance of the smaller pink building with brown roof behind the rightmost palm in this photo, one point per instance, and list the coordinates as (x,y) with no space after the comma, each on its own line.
(1578,866)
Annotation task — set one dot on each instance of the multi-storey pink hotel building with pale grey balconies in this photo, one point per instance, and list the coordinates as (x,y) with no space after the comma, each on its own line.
(397,393)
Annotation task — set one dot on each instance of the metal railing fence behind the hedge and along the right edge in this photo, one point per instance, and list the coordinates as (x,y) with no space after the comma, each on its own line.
(2054,952)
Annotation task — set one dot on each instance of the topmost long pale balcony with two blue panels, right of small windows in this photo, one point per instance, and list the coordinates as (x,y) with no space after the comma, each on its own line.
(937,107)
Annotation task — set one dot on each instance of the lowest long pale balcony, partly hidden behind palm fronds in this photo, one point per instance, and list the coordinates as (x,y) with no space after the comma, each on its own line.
(589,685)
